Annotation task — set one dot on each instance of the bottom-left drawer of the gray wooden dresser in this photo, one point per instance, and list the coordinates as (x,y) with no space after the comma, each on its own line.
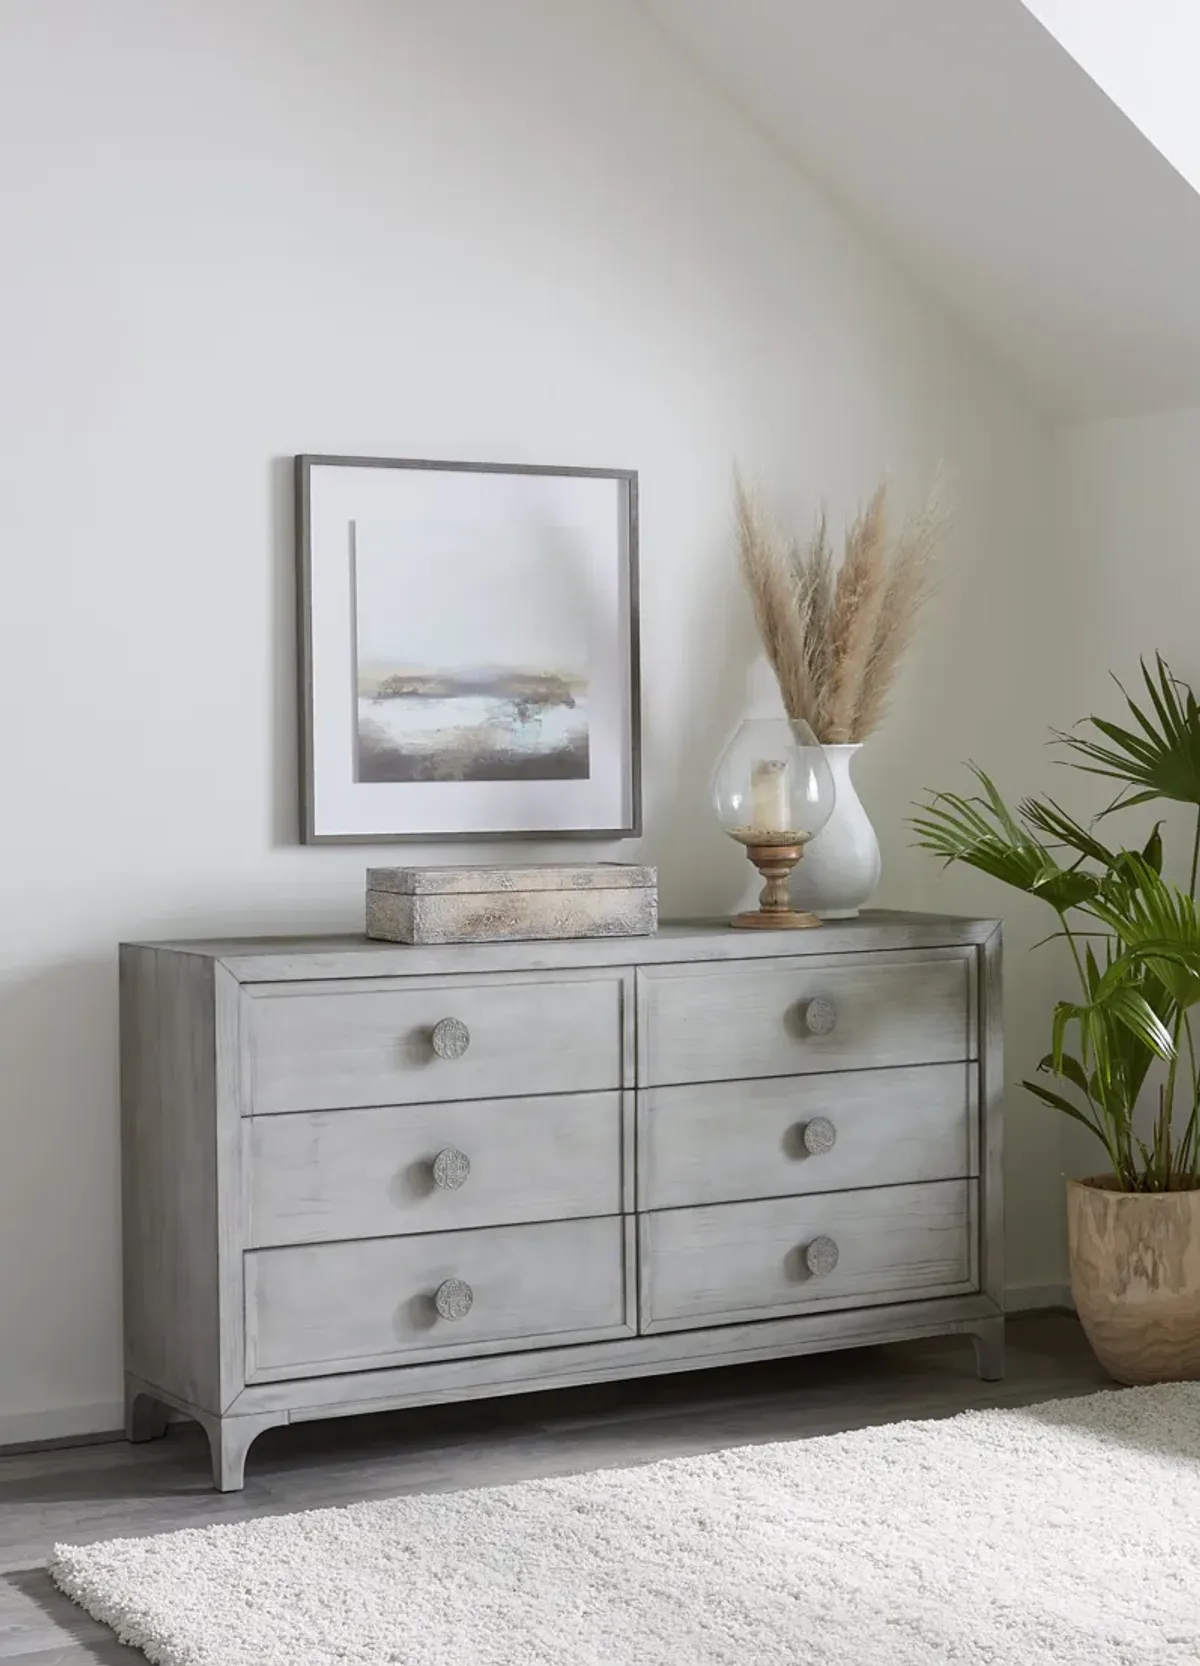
(346,1307)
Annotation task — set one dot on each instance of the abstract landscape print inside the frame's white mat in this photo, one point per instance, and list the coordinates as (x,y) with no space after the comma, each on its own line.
(471,654)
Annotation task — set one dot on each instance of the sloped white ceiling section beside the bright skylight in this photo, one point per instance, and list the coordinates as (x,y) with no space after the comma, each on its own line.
(996,171)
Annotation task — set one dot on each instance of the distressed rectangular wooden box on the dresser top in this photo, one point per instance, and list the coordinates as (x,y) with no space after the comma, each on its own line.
(514,904)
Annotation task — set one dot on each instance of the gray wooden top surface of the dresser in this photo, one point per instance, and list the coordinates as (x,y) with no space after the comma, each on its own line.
(349,955)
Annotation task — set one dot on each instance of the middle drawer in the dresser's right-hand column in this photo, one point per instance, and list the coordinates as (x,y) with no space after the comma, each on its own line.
(719,1142)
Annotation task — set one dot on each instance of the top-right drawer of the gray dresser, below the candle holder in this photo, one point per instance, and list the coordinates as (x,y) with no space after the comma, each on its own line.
(814,1014)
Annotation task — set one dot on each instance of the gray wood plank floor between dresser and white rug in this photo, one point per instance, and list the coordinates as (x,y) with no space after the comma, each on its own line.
(111,1490)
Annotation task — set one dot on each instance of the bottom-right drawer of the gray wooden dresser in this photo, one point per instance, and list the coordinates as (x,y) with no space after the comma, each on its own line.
(736,1262)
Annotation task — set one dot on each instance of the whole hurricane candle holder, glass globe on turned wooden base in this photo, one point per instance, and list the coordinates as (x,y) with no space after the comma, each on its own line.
(774,792)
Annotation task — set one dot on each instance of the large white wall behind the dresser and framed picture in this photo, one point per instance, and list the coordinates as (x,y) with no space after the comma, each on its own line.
(477,231)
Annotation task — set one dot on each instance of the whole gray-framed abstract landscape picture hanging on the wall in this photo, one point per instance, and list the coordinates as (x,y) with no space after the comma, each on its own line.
(469,651)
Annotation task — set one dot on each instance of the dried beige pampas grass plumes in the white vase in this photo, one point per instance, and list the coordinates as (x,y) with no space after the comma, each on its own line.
(836,639)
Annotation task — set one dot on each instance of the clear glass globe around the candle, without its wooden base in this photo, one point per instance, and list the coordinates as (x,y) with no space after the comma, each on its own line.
(772,786)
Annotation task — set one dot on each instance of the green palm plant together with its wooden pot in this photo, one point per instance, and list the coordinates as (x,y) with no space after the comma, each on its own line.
(1124,1054)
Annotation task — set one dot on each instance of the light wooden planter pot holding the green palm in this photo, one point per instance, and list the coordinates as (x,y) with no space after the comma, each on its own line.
(1136,1279)
